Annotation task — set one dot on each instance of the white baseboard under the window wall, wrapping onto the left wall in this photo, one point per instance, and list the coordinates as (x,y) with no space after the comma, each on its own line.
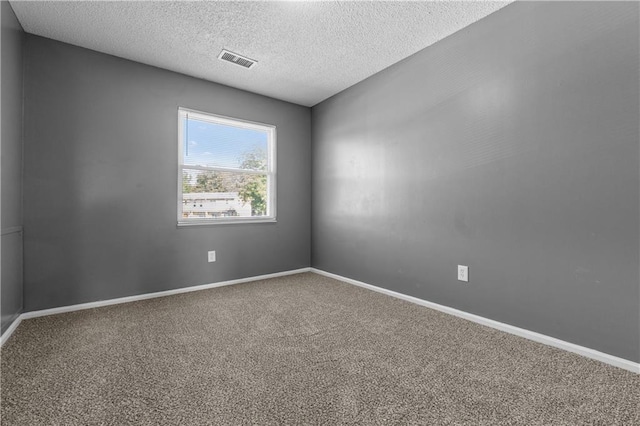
(53,311)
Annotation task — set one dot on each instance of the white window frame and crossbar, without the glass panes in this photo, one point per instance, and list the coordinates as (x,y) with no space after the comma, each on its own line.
(270,173)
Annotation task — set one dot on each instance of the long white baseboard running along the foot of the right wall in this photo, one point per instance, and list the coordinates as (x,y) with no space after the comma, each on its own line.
(531,335)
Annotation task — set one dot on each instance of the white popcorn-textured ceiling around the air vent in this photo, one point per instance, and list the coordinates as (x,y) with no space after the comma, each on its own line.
(306,51)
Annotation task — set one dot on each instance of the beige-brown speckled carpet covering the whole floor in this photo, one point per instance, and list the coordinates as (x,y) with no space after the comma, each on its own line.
(297,350)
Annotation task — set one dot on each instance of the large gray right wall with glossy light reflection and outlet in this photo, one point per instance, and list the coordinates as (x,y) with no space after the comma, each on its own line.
(511,146)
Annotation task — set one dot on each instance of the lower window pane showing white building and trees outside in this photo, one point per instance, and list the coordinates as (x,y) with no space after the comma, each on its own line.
(216,194)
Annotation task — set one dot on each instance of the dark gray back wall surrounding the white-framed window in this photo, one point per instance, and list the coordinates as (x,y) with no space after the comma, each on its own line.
(100,158)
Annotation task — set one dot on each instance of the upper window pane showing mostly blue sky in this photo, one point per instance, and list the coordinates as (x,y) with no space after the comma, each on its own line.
(218,145)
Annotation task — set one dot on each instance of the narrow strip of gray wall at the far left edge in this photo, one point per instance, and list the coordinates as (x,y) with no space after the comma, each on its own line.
(11,168)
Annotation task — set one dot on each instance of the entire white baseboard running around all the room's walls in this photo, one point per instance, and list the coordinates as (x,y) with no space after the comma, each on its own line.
(531,335)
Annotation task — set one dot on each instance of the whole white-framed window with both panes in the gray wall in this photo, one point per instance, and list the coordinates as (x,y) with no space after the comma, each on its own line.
(227,170)
